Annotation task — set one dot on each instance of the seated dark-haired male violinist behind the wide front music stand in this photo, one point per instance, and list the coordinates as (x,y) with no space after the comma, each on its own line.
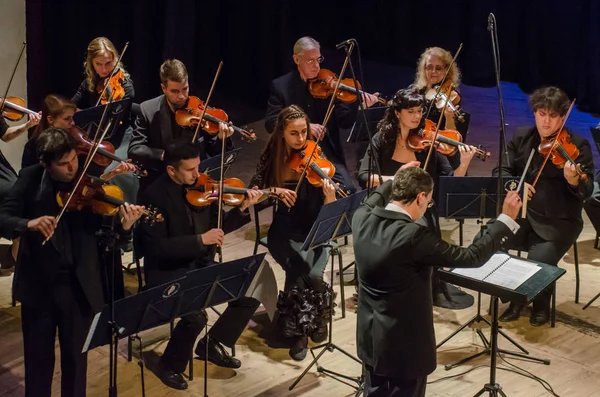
(187,239)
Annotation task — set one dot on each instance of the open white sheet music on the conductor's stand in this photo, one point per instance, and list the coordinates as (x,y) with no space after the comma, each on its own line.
(502,270)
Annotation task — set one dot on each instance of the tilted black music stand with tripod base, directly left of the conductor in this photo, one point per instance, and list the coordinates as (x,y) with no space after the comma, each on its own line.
(334,221)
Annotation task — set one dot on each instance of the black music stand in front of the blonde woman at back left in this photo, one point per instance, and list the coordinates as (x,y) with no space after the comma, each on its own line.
(89,118)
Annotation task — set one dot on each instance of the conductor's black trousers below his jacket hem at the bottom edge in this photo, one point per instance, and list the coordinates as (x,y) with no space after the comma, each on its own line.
(383,386)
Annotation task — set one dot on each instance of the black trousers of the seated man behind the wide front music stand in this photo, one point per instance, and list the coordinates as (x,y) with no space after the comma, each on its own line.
(226,330)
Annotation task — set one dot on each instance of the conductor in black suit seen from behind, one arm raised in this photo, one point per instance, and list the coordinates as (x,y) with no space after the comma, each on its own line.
(395,257)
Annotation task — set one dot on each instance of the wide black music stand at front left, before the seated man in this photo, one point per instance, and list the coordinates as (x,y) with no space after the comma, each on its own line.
(197,290)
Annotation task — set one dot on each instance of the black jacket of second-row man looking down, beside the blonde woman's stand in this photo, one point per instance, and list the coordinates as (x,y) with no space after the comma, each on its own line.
(154,129)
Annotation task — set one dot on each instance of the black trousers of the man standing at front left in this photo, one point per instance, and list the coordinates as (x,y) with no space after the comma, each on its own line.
(69,313)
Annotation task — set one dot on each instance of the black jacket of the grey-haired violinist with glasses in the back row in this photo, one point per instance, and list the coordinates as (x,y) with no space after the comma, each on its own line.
(290,89)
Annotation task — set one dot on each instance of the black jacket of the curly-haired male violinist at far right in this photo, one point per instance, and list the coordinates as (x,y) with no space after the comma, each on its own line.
(555,209)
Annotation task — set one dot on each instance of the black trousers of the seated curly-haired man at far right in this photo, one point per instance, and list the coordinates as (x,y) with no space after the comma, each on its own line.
(545,251)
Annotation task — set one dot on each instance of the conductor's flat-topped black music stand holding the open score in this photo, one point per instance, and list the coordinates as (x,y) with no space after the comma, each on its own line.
(523,294)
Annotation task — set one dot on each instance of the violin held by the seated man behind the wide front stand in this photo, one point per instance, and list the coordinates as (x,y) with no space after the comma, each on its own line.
(206,191)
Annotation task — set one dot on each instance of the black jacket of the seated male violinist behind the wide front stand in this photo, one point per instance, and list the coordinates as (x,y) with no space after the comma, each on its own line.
(174,246)
